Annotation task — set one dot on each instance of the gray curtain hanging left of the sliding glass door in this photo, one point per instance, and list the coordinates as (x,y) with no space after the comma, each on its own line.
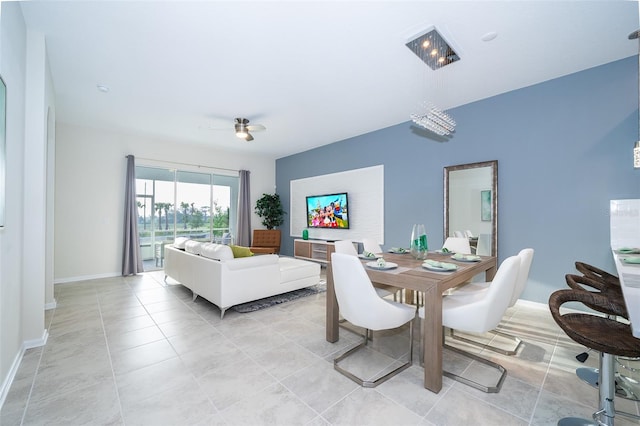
(131,257)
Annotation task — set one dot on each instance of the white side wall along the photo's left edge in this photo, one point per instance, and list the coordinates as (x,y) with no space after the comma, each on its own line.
(21,304)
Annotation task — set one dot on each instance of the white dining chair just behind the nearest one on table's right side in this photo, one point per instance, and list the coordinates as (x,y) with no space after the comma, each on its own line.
(526,259)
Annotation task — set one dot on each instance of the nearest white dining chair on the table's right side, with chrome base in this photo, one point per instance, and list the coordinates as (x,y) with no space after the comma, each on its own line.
(479,313)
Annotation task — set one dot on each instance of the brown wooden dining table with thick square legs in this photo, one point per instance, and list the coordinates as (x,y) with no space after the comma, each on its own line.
(410,275)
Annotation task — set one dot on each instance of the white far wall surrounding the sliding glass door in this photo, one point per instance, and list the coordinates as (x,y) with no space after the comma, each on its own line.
(89,192)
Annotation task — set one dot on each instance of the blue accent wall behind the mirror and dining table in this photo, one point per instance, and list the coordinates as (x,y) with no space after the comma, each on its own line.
(564,149)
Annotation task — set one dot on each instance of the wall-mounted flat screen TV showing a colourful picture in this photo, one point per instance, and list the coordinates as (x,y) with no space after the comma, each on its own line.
(328,211)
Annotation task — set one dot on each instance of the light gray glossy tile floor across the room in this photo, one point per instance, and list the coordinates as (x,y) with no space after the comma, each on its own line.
(136,351)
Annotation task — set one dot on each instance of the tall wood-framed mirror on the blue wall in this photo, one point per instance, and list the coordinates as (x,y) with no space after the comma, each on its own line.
(471,204)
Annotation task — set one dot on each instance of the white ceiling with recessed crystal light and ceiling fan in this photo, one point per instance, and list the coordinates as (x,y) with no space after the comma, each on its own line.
(312,72)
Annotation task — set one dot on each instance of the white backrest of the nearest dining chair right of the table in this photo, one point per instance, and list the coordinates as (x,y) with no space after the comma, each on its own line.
(496,299)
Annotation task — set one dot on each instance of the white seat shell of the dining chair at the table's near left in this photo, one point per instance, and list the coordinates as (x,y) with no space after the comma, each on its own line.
(357,299)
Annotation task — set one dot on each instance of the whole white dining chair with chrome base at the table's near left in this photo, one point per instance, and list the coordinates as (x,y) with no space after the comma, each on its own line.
(359,304)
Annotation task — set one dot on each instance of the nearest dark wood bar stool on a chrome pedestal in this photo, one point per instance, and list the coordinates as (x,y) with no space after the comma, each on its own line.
(608,336)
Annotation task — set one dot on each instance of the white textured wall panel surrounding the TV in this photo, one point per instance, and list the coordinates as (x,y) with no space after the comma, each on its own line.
(365,189)
